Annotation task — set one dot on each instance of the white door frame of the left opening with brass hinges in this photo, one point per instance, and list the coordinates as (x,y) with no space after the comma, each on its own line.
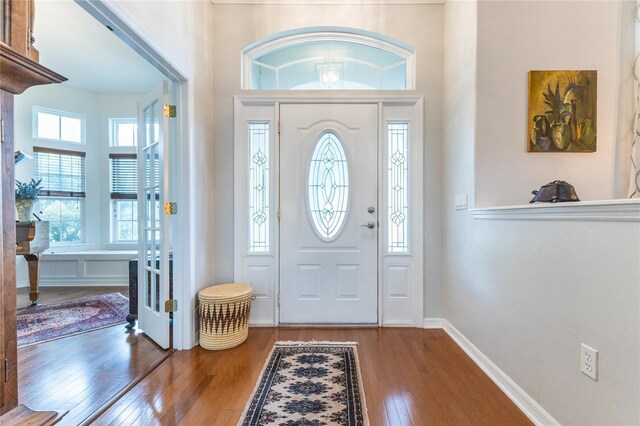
(111,14)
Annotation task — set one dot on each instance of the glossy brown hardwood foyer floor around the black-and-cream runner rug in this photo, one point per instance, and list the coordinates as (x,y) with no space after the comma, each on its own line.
(411,377)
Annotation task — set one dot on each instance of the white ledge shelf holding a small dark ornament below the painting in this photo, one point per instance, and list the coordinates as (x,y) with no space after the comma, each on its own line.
(606,210)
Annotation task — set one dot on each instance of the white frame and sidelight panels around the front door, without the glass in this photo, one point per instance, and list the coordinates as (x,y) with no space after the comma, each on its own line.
(400,277)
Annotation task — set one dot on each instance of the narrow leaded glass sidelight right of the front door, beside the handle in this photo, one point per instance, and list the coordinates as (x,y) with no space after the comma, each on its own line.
(398,186)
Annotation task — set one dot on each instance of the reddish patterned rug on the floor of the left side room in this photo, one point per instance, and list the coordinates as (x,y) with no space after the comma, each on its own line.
(40,323)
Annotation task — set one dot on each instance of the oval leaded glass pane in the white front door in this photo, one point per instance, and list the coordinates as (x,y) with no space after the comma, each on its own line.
(328,186)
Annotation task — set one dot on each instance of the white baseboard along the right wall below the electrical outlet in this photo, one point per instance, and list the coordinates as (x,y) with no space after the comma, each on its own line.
(524,401)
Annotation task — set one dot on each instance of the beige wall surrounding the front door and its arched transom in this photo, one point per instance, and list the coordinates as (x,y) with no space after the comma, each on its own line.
(236,26)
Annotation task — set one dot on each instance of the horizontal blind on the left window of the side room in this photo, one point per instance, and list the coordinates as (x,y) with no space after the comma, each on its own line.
(62,172)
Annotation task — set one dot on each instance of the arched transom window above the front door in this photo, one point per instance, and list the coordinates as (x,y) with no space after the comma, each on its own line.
(328,59)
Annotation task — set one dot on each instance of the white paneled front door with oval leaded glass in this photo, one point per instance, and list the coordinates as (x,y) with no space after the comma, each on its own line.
(328,213)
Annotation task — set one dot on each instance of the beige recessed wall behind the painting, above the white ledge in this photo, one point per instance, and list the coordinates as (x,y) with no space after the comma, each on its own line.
(517,36)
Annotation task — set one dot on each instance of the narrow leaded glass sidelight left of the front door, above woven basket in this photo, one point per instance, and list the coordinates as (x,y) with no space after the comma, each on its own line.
(259,187)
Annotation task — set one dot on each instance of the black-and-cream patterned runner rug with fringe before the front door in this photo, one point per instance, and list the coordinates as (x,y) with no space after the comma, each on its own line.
(309,383)
